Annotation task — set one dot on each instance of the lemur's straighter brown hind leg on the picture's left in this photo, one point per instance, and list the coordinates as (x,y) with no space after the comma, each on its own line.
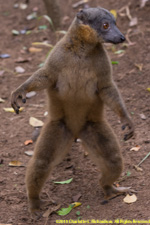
(52,145)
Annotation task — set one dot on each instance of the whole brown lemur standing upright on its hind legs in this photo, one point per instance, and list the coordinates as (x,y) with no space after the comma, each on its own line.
(78,78)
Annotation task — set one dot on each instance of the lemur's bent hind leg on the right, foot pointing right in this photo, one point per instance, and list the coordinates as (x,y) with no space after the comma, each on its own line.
(100,141)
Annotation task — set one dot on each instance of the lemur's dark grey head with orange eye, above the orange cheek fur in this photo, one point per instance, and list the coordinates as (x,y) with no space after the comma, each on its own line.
(103,22)
